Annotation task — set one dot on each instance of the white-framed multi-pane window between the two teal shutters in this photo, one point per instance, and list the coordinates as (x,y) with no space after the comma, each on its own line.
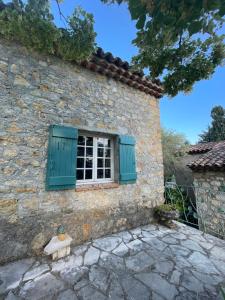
(95,159)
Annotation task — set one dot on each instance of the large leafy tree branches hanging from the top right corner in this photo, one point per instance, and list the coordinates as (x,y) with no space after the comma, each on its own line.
(178,40)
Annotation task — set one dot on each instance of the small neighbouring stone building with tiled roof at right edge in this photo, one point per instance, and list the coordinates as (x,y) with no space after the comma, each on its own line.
(209,181)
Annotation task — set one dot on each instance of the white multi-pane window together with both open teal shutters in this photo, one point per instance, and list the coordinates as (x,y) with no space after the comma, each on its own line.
(78,158)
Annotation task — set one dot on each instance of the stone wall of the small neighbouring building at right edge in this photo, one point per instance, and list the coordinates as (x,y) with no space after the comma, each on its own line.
(210,201)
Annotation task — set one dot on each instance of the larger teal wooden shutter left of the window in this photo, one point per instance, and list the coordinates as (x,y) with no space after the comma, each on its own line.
(62,152)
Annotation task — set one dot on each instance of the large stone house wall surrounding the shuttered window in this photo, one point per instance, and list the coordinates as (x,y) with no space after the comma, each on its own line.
(37,91)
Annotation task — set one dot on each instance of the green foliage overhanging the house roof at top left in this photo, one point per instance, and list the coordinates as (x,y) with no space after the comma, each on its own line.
(32,25)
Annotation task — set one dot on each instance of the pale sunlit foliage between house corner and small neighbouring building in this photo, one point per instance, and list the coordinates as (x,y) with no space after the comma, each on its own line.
(174,145)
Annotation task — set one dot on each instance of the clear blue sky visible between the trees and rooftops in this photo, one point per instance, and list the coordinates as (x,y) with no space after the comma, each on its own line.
(187,114)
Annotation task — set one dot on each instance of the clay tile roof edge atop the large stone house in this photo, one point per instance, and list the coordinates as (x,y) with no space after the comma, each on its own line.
(114,67)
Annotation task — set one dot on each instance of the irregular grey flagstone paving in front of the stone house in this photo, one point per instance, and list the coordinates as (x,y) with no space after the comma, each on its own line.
(150,262)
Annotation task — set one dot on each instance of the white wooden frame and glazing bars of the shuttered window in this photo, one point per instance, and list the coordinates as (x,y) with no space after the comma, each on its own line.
(95,180)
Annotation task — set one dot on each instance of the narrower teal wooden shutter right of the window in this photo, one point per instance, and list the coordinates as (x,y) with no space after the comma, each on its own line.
(127,161)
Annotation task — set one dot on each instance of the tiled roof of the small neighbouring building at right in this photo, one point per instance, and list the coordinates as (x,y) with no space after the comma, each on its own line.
(214,159)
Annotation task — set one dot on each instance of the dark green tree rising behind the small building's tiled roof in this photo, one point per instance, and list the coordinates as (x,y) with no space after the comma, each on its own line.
(215,132)
